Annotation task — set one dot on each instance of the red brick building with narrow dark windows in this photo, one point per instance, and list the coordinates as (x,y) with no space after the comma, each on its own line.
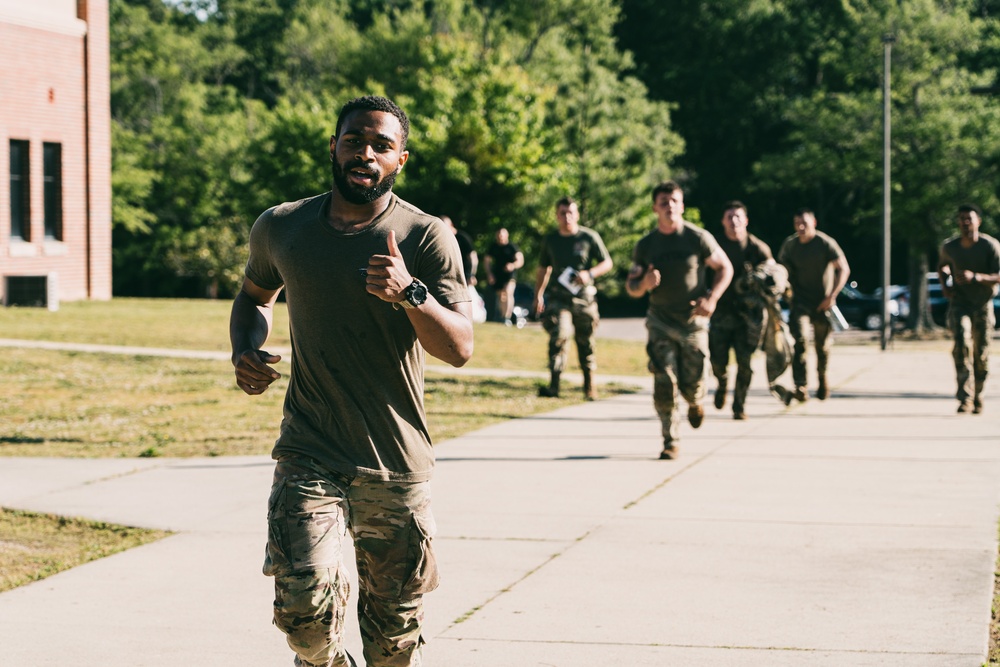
(55,139)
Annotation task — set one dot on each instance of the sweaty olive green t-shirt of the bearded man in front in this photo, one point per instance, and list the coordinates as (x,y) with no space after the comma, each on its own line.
(355,396)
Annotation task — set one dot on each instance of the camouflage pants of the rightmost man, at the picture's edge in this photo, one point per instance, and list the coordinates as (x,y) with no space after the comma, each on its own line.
(972,330)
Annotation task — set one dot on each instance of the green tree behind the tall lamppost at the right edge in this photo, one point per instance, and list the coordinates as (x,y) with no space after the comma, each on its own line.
(945,141)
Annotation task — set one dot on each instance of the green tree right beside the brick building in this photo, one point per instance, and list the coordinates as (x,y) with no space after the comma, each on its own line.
(178,144)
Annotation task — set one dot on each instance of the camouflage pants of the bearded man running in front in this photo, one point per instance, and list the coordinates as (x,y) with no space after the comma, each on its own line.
(310,512)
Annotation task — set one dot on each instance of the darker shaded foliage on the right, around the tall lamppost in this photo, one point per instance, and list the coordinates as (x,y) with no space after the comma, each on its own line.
(780,103)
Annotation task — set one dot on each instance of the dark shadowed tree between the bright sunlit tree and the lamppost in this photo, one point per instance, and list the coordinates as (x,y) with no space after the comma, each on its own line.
(730,69)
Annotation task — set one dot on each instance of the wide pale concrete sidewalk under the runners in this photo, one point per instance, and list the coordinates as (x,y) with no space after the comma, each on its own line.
(856,531)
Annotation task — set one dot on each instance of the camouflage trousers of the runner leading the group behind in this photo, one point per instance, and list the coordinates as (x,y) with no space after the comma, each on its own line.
(678,356)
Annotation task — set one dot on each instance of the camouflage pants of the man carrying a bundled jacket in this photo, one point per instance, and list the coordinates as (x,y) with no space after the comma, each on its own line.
(742,335)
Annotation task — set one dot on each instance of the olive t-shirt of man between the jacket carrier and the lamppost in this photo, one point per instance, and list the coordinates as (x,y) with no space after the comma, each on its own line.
(810,273)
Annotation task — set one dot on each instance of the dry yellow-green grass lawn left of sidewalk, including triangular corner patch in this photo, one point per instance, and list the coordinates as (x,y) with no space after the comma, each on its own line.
(76,404)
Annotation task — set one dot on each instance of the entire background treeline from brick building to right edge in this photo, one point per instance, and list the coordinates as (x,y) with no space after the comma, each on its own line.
(223,108)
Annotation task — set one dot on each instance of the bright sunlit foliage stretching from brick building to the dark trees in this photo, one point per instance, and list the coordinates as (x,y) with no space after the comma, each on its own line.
(224,108)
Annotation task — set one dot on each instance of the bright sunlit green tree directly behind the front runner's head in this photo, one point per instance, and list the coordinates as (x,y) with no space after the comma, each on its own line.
(512,106)
